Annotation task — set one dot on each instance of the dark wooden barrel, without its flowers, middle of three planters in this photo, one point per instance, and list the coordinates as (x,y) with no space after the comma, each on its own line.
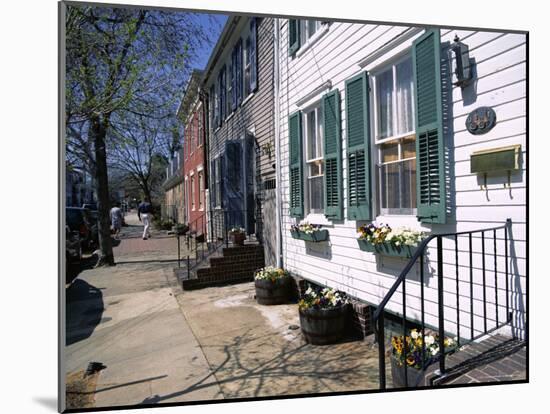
(323,326)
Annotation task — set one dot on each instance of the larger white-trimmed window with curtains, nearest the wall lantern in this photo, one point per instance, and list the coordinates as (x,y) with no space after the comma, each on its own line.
(395,138)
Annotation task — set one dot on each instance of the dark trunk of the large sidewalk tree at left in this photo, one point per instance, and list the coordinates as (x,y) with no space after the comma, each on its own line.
(98,133)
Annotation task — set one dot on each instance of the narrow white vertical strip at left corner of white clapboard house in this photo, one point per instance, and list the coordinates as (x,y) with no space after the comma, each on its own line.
(278,199)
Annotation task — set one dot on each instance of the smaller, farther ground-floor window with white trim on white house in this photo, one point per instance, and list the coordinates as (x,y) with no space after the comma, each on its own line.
(313,144)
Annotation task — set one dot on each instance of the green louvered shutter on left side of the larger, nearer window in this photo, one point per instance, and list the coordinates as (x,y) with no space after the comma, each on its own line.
(358,151)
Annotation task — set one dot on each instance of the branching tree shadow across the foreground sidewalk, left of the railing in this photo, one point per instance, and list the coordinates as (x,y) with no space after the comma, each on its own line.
(247,375)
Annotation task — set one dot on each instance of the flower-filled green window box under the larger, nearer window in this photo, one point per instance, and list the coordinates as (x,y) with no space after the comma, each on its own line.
(400,242)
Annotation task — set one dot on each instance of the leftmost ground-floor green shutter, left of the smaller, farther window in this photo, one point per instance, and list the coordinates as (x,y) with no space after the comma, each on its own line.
(295,165)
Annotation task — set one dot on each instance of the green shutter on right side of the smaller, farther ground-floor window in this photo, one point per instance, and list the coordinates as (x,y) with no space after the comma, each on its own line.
(332,155)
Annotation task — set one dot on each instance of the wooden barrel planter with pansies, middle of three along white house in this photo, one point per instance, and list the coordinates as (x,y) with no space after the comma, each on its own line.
(323,315)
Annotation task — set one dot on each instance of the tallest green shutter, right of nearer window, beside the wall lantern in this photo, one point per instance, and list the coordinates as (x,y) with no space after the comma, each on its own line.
(430,169)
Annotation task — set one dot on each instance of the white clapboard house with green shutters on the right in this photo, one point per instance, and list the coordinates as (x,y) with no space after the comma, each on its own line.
(408,126)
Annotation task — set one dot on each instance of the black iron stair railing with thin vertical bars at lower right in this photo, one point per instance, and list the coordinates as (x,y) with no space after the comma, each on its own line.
(378,316)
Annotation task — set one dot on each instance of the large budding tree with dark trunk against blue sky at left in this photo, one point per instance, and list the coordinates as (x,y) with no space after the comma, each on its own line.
(118,62)
